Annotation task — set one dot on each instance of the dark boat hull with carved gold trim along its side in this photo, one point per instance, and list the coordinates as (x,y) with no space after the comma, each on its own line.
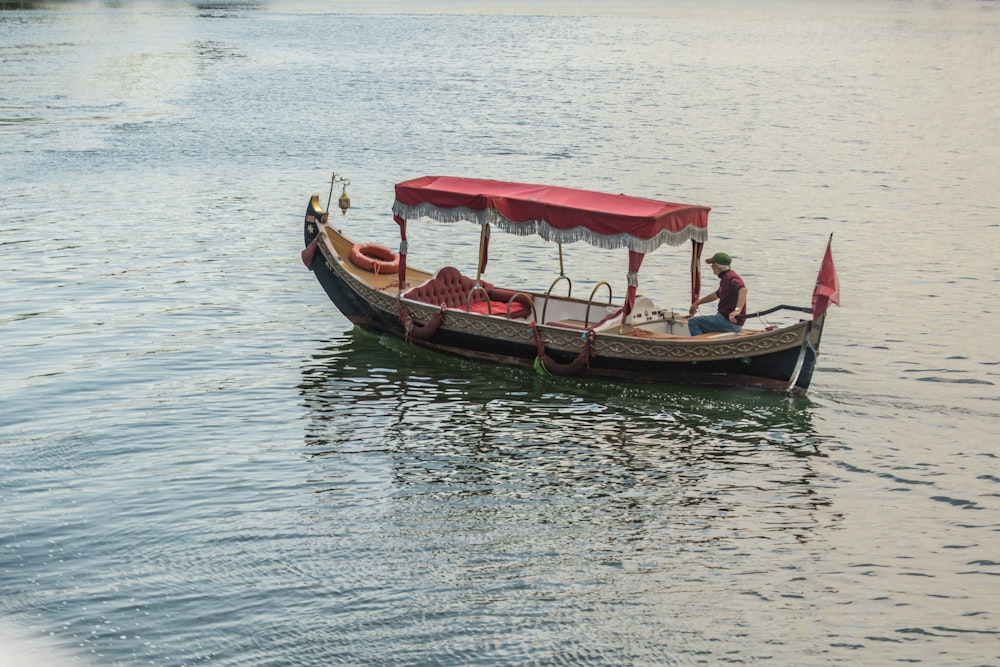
(779,360)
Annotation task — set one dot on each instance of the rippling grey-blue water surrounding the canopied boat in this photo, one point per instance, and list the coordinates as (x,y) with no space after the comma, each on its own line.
(202,463)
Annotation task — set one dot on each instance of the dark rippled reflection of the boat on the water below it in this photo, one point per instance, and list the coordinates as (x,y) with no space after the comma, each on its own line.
(387,421)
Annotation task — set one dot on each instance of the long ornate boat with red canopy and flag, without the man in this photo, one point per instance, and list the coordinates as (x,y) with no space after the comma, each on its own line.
(634,340)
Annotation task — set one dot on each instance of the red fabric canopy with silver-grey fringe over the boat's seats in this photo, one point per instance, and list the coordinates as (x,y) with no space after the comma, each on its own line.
(554,213)
